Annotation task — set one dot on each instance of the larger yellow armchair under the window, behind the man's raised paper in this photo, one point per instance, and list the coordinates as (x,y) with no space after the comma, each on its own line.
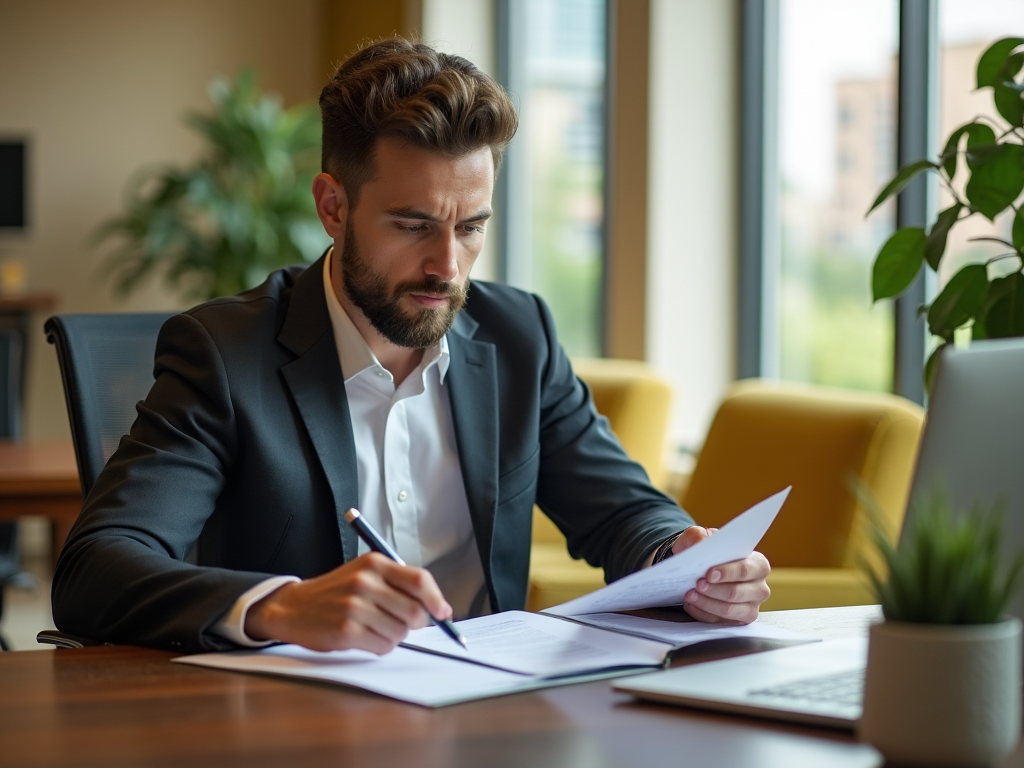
(766,437)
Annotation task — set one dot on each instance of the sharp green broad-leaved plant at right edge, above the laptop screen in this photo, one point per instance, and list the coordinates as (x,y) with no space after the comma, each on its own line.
(993,305)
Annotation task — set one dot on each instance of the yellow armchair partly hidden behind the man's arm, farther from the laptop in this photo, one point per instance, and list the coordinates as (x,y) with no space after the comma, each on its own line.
(636,402)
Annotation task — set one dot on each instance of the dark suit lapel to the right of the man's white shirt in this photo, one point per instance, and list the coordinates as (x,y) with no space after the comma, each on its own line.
(473,381)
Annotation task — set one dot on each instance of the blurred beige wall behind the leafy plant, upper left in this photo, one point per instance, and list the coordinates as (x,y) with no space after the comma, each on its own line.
(101,89)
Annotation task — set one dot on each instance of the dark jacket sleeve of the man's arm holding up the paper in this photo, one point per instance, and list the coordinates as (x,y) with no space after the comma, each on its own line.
(602,500)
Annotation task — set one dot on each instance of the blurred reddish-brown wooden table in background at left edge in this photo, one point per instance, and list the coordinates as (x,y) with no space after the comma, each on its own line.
(40,479)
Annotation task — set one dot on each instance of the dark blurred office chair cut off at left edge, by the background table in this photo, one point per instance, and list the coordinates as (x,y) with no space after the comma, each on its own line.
(11,429)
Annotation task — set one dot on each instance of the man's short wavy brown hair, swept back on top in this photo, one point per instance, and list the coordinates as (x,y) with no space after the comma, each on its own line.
(396,89)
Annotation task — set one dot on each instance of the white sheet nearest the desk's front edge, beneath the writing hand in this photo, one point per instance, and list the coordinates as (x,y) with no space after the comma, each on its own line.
(409,675)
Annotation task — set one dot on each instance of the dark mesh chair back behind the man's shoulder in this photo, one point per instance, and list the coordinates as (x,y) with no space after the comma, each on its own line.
(107,367)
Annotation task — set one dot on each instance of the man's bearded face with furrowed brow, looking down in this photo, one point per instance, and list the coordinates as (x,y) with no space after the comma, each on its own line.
(413,238)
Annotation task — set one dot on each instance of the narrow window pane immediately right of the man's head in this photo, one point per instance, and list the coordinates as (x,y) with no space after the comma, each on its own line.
(564,108)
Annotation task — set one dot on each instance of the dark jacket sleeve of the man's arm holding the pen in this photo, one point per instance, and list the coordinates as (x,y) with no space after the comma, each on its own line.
(122,576)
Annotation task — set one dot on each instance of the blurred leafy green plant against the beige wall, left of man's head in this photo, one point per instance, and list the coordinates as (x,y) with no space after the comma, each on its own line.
(243,209)
